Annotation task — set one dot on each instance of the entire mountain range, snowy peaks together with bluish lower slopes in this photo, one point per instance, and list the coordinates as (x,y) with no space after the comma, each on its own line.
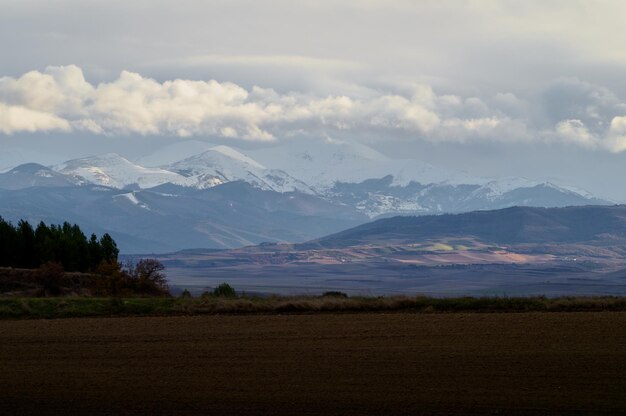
(196,194)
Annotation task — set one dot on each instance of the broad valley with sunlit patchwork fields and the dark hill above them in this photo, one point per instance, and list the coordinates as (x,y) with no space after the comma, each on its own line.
(515,251)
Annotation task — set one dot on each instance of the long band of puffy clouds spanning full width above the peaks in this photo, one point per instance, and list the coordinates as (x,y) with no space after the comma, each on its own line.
(61,99)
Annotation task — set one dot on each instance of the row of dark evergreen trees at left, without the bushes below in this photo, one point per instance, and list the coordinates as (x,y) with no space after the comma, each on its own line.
(26,247)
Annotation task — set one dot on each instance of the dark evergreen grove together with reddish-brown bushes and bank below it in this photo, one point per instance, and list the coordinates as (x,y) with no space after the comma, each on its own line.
(59,260)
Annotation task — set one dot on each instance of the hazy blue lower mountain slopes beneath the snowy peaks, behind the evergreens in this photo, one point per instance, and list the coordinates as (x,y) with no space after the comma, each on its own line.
(171,217)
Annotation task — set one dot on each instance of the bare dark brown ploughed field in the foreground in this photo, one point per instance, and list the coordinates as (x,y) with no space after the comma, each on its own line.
(344,364)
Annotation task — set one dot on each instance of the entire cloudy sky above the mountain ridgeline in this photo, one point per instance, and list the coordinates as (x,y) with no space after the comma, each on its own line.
(495,88)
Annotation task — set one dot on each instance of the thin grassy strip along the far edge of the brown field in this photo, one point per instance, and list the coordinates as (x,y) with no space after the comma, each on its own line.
(58,307)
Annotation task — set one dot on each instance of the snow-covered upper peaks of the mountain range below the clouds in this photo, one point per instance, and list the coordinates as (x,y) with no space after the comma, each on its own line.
(345,172)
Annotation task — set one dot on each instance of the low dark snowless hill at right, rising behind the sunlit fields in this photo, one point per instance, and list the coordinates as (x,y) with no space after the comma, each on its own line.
(517,225)
